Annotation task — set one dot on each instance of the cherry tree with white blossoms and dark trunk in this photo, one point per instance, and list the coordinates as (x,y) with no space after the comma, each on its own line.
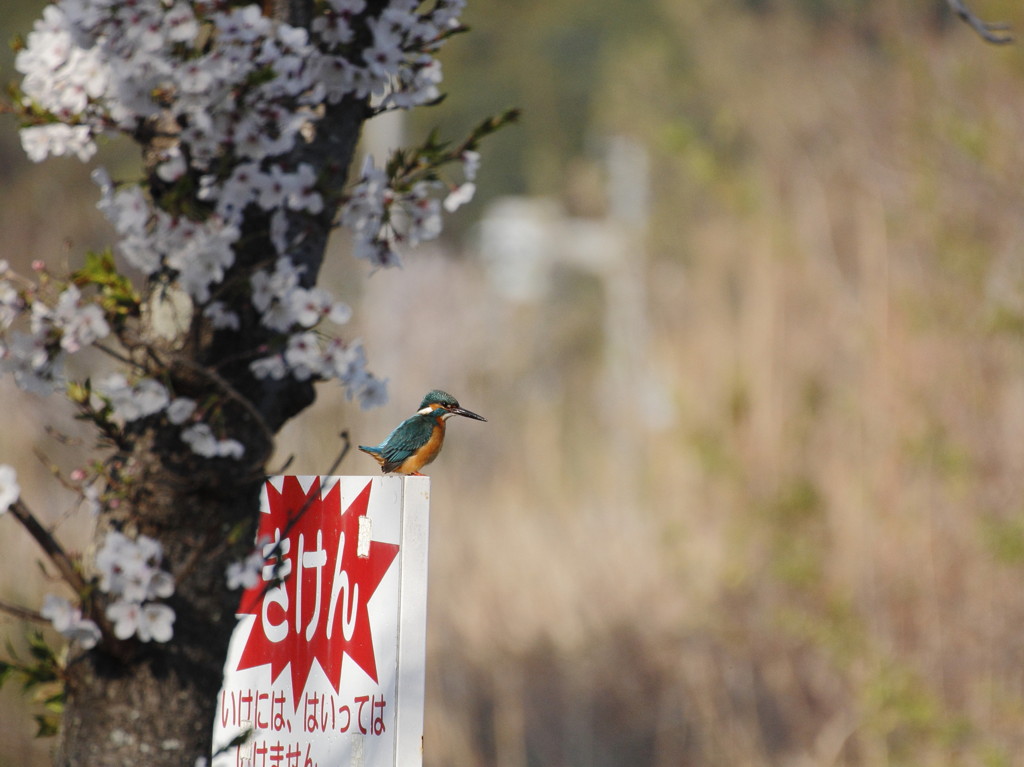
(206,309)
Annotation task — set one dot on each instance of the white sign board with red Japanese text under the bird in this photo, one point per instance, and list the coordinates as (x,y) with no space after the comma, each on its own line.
(325,668)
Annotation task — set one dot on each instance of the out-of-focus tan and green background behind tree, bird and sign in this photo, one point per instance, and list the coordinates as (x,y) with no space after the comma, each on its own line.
(743,301)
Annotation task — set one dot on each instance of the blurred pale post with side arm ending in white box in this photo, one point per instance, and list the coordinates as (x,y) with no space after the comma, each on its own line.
(524,239)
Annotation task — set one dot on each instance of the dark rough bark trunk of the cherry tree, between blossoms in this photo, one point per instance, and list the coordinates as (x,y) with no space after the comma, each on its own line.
(151,704)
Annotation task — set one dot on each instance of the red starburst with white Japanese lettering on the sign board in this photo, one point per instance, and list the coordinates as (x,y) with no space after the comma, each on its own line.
(319,612)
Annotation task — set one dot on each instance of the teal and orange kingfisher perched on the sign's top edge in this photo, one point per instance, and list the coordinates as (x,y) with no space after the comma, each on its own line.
(418,440)
